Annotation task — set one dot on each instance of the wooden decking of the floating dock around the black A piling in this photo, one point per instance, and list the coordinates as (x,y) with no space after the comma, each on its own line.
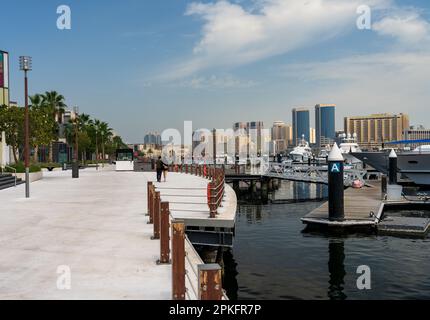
(359,206)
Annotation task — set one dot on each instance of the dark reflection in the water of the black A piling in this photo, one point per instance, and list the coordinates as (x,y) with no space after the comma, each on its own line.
(336,269)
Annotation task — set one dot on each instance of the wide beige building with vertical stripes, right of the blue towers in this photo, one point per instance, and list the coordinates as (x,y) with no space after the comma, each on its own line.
(372,131)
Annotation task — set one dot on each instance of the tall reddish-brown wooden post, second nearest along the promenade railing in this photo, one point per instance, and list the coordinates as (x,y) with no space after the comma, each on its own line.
(178,260)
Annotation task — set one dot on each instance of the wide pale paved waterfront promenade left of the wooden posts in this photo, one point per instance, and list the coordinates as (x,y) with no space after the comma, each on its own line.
(96,225)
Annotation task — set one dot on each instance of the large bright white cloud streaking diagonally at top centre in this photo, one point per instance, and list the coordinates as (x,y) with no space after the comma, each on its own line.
(233,35)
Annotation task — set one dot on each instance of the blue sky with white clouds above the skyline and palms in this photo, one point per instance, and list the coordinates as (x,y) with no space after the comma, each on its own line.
(153,64)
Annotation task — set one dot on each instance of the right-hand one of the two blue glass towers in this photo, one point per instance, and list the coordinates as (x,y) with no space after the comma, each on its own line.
(325,125)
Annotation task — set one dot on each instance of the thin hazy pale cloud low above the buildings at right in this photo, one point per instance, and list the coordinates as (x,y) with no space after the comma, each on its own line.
(388,82)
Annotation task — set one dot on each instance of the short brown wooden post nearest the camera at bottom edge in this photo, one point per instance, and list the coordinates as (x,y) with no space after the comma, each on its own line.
(210,284)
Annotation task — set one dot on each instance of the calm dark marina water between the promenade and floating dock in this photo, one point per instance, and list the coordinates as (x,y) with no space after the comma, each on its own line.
(273,258)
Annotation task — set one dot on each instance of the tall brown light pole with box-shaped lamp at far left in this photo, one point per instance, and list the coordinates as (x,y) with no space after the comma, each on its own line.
(25,65)
